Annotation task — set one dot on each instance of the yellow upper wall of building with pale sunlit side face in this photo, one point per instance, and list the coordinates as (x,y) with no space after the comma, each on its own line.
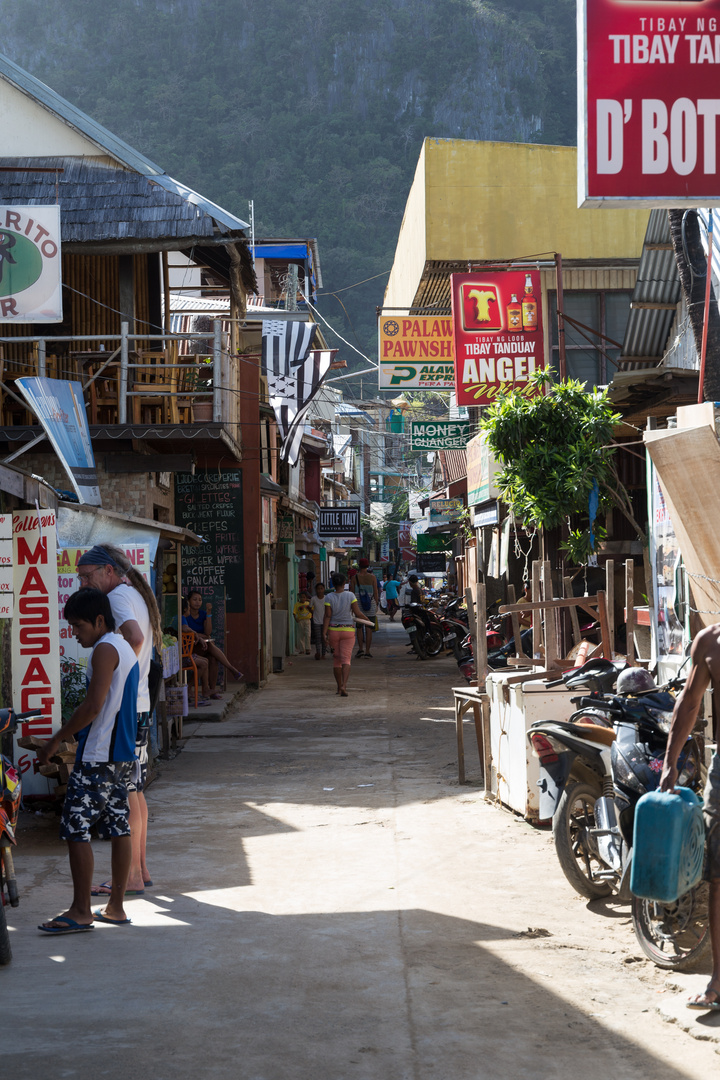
(501,201)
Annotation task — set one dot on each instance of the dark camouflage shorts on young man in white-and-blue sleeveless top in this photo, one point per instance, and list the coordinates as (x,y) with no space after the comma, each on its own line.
(97,795)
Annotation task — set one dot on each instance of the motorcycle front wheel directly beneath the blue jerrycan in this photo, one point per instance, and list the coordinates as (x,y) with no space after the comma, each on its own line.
(675,937)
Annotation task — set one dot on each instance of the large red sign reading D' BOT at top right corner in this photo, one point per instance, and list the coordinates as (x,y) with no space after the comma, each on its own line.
(649,103)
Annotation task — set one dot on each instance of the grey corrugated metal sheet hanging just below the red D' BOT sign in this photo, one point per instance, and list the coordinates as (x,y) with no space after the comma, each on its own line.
(658,282)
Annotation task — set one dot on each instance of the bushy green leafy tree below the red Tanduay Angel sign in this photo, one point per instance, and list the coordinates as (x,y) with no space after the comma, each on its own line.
(554,449)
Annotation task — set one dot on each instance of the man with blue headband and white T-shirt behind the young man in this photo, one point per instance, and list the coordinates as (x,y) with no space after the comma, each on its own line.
(137,616)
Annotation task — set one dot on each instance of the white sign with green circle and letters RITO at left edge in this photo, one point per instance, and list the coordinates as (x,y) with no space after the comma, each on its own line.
(31,287)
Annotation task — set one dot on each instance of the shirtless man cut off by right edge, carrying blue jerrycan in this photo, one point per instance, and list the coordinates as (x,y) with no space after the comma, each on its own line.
(705,669)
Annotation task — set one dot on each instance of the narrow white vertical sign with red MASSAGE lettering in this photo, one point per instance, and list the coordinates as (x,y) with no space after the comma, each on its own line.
(36,643)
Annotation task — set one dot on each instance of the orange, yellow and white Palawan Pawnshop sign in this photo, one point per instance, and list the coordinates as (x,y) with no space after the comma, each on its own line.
(415,353)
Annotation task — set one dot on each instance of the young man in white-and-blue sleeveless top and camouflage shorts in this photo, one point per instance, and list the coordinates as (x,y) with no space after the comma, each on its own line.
(106,726)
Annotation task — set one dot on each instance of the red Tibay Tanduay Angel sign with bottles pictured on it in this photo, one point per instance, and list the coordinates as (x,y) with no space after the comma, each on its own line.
(498,334)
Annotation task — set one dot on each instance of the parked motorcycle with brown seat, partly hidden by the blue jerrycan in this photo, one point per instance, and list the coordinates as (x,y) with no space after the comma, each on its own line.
(594,769)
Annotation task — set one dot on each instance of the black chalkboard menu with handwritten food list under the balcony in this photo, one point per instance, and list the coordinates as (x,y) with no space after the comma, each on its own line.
(211,504)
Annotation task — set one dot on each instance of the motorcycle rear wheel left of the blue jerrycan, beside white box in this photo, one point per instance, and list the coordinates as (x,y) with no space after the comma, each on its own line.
(577,852)
